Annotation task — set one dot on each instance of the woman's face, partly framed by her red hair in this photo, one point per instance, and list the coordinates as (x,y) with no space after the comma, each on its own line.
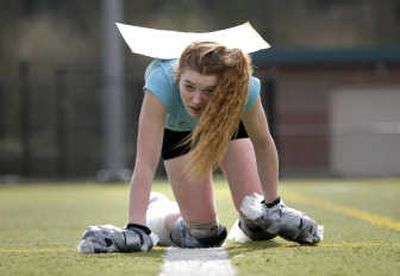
(195,90)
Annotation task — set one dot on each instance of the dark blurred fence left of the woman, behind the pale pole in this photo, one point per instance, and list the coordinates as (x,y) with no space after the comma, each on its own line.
(52,124)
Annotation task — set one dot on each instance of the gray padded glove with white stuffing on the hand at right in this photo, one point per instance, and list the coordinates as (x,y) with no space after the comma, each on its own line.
(284,221)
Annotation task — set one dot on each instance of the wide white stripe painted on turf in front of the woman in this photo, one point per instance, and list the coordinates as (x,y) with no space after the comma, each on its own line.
(197,262)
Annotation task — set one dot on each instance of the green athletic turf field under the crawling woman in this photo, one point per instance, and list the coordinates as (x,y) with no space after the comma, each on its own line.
(41,224)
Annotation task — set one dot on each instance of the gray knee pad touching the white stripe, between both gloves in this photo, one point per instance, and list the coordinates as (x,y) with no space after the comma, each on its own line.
(181,236)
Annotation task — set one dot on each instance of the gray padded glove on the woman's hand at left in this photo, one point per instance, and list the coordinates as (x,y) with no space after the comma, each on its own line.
(109,238)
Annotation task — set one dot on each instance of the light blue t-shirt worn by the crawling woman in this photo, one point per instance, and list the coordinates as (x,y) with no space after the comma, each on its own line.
(160,80)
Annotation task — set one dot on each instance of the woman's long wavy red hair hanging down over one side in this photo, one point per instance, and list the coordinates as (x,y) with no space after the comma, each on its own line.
(221,116)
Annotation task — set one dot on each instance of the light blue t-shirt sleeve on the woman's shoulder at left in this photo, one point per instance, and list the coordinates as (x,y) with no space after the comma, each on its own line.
(158,82)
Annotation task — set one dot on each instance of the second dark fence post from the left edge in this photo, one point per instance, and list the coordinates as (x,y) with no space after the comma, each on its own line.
(61,128)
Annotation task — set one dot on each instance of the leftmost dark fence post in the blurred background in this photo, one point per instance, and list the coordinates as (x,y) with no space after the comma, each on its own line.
(26,131)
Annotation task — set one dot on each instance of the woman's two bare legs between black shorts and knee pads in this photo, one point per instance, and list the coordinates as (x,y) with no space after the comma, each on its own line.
(195,197)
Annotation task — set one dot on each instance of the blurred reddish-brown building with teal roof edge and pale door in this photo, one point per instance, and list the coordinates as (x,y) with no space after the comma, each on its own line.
(335,111)
